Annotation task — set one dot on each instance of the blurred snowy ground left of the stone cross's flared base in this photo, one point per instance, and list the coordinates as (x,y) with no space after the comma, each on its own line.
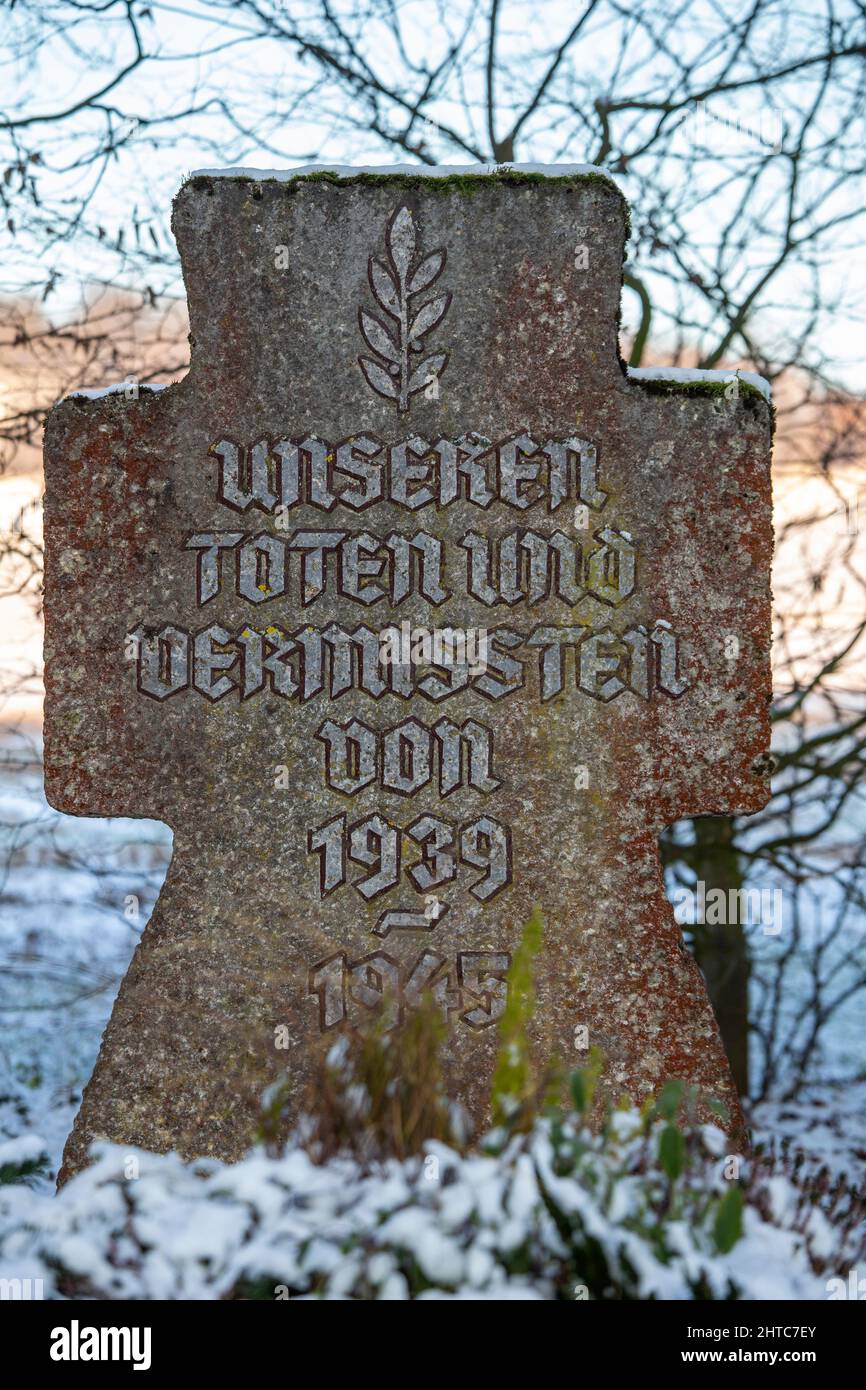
(74,900)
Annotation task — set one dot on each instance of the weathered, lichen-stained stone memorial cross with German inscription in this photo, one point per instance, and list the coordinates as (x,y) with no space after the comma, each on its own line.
(408,610)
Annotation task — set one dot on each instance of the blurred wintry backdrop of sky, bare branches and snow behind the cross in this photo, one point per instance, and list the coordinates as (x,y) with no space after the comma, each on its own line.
(739,134)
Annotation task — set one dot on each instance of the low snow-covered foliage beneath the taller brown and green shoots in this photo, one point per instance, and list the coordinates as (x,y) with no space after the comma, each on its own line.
(642,1210)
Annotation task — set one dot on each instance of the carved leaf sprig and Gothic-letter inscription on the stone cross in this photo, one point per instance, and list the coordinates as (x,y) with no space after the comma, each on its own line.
(564,551)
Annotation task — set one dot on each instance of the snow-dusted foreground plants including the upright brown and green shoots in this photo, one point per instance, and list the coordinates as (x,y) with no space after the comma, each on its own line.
(377,1195)
